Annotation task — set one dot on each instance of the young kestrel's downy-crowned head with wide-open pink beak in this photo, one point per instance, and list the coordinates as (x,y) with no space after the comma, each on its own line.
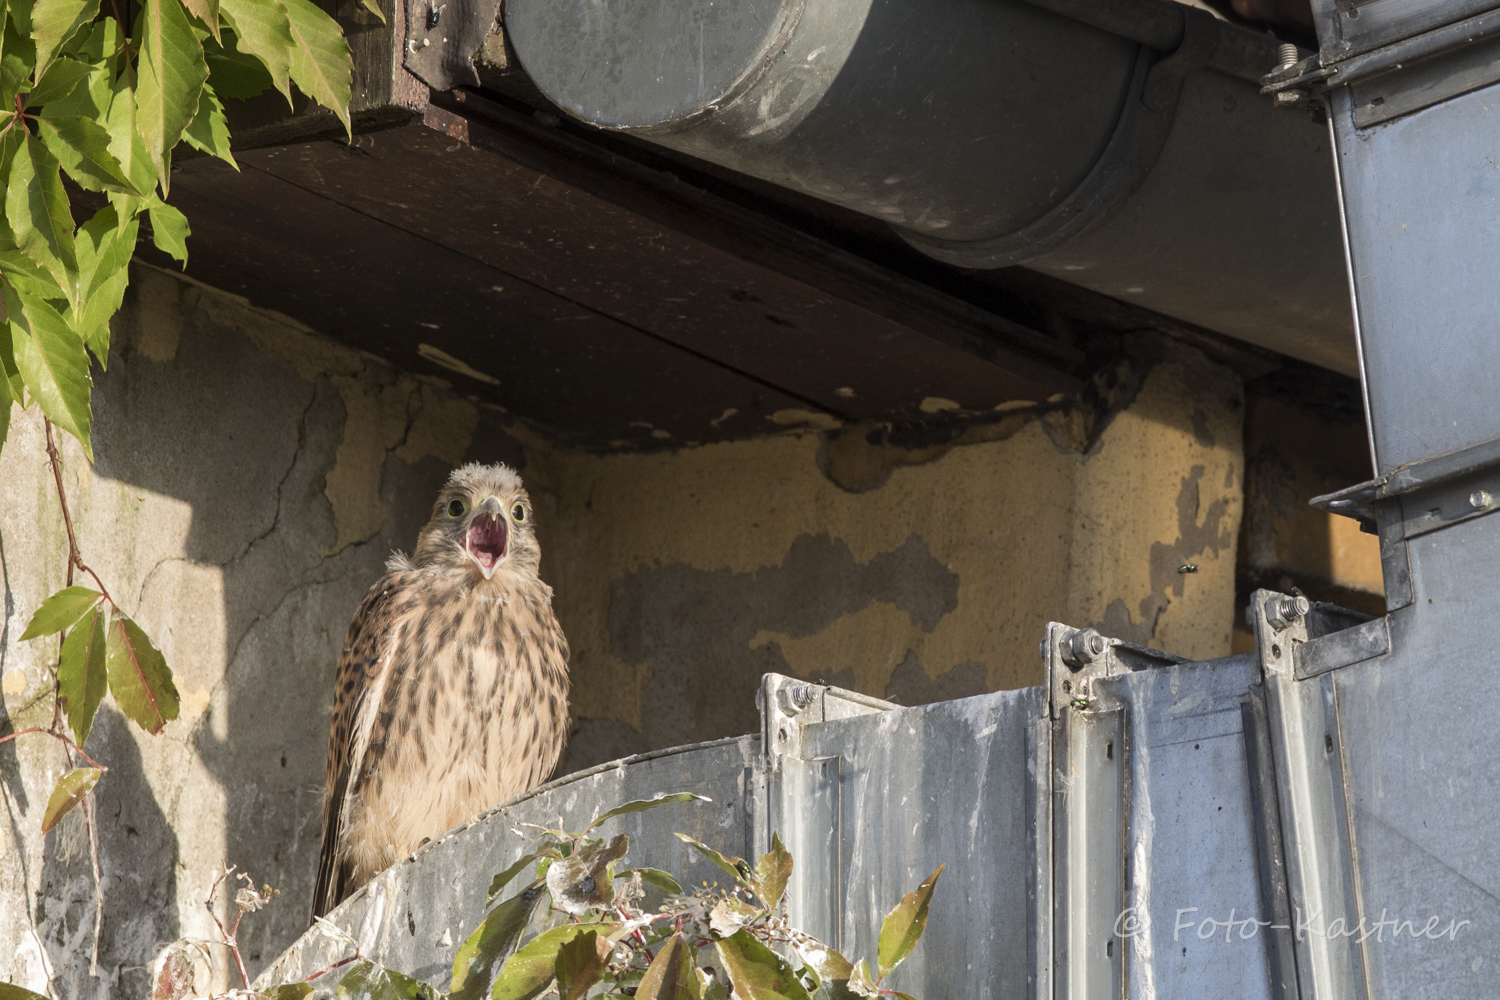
(481,522)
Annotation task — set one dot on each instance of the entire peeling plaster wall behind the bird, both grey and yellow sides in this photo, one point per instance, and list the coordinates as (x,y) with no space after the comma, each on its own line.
(253,478)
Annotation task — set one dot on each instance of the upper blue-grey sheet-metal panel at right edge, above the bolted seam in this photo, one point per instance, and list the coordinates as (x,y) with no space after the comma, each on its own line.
(1423,223)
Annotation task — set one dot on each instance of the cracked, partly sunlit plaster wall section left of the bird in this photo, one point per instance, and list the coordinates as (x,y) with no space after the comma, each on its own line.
(251,481)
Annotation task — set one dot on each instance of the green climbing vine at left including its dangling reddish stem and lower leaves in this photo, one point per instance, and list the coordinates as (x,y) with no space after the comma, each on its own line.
(95,100)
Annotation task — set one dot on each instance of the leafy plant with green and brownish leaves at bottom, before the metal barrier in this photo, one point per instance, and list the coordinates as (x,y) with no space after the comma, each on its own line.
(592,935)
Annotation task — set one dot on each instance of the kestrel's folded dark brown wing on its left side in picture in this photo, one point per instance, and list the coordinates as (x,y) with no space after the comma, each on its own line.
(367,651)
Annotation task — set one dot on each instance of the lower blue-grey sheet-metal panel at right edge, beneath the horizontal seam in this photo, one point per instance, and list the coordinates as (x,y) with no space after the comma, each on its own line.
(1423,774)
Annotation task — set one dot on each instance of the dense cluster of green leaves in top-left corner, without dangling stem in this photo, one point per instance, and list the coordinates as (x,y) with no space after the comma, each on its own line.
(106,104)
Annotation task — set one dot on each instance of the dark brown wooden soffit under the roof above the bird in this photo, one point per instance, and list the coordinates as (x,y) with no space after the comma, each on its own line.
(599,298)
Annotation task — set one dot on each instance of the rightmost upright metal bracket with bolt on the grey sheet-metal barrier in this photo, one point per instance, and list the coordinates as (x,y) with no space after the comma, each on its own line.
(1307,756)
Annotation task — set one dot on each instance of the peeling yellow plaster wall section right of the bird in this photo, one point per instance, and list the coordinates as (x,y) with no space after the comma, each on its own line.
(685,576)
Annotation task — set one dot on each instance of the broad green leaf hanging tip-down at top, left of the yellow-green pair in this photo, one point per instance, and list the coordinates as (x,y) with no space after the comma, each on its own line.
(172,73)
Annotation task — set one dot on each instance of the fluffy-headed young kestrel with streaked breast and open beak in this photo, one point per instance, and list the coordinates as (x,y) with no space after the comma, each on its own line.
(452,687)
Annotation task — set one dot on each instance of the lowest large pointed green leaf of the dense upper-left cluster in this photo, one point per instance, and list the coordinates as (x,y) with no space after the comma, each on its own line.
(53,364)
